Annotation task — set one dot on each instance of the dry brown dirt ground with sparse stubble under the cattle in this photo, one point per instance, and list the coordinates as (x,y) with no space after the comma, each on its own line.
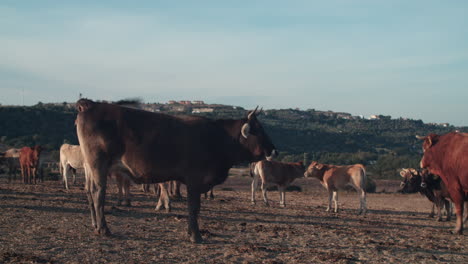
(46,224)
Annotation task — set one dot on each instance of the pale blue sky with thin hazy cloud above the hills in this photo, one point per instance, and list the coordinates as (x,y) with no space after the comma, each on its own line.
(398,58)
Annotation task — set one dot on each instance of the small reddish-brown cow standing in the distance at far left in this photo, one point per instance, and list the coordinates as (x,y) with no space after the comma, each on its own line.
(29,162)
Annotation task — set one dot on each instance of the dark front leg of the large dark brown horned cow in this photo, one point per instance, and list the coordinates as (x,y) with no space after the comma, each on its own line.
(193,199)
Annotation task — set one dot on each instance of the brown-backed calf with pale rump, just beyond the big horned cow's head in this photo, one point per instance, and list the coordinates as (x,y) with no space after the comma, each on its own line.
(275,173)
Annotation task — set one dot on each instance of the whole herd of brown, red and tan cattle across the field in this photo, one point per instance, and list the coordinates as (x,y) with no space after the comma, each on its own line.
(160,150)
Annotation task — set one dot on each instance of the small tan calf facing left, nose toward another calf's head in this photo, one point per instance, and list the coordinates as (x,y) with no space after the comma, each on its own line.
(335,178)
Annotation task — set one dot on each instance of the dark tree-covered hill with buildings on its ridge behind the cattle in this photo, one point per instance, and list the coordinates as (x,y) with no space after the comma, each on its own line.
(382,144)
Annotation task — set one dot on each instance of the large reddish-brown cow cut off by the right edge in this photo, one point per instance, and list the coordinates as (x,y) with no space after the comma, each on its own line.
(447,156)
